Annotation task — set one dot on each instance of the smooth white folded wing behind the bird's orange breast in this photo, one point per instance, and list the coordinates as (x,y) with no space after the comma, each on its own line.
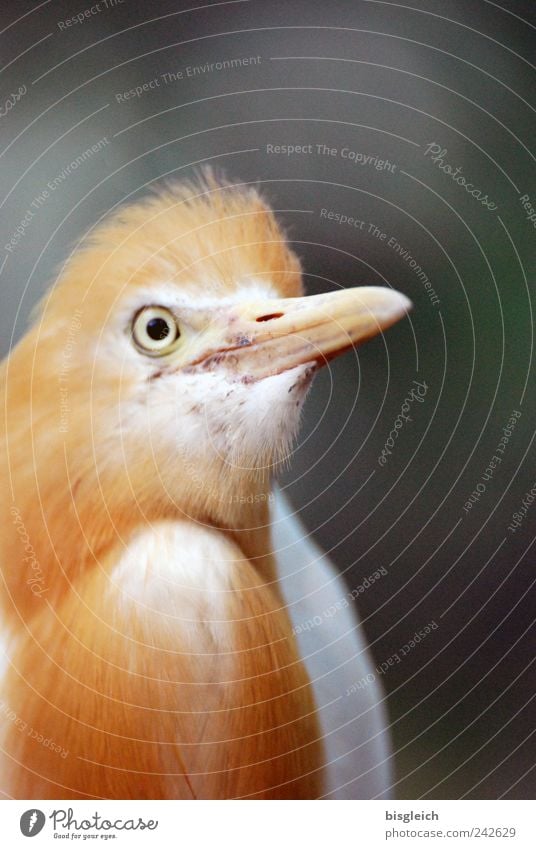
(355,726)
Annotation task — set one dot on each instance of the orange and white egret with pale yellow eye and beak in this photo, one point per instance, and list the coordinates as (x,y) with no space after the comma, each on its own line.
(150,586)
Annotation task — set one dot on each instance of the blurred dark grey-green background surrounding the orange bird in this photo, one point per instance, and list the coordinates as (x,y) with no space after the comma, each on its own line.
(373,85)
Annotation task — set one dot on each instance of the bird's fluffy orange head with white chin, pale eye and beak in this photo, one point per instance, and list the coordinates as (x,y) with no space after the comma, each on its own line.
(169,364)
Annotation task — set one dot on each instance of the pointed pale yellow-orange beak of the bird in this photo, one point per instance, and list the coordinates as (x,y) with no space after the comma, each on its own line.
(267,337)
